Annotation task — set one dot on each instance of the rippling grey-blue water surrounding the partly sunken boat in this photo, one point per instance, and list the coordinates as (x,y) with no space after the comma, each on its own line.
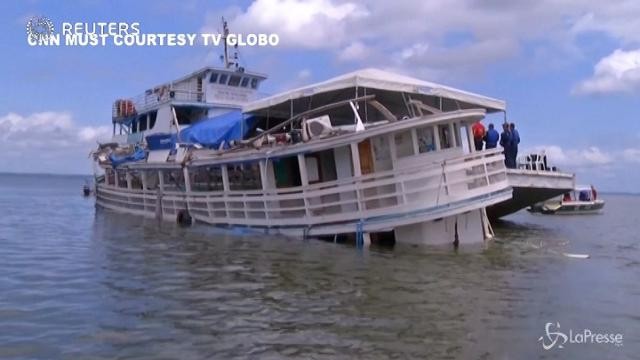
(80,283)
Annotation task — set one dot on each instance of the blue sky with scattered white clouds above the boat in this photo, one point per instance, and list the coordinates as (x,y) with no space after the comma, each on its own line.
(569,70)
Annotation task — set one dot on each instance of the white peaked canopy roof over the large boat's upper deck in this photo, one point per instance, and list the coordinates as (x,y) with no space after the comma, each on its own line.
(382,80)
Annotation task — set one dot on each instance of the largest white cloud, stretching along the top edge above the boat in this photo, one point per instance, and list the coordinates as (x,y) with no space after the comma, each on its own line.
(396,34)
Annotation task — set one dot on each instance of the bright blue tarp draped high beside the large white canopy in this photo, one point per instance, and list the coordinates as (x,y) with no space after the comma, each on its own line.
(211,132)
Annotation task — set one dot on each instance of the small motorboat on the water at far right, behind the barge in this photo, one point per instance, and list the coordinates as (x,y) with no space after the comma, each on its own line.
(582,200)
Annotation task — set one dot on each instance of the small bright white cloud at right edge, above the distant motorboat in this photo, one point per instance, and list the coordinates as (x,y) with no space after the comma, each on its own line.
(617,72)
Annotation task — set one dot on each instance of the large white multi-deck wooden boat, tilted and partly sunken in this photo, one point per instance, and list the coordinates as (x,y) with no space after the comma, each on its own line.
(364,153)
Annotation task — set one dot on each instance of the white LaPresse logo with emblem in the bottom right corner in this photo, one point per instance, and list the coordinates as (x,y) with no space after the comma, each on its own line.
(555,338)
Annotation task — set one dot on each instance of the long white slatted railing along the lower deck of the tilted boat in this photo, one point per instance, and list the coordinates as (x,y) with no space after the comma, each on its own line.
(398,191)
